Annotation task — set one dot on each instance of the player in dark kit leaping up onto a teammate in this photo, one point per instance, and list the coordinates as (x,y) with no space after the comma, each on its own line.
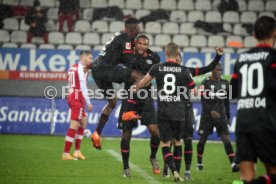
(105,70)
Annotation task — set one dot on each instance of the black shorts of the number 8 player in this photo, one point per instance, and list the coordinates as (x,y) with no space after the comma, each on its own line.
(169,129)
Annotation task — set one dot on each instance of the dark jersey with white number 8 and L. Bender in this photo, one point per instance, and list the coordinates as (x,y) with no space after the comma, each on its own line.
(171,79)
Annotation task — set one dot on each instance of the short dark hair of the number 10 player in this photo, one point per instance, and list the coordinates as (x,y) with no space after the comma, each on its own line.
(264,27)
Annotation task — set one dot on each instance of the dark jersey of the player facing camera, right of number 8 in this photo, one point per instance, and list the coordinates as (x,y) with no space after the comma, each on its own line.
(214,97)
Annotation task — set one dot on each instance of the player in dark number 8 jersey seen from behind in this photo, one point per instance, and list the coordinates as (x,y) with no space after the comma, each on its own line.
(172,79)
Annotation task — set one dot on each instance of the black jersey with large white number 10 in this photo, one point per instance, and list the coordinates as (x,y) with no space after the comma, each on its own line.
(253,83)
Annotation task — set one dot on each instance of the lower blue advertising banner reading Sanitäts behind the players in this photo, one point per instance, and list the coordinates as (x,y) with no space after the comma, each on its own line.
(44,116)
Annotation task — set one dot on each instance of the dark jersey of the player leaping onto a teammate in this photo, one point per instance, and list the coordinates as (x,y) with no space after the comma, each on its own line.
(118,50)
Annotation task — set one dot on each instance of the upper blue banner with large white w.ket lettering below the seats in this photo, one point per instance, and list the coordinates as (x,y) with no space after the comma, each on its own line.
(15,59)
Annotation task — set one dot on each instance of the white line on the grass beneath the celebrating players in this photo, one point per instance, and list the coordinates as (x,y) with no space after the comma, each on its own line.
(134,167)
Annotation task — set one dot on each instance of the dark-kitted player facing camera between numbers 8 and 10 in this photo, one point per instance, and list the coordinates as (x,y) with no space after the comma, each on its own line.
(215,113)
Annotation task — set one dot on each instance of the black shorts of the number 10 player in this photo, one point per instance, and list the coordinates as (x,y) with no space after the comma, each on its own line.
(262,145)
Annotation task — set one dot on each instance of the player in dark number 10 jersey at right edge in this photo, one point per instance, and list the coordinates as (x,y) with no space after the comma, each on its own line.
(254,85)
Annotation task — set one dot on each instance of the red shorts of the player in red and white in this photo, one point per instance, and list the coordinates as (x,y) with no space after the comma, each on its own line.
(77,109)
